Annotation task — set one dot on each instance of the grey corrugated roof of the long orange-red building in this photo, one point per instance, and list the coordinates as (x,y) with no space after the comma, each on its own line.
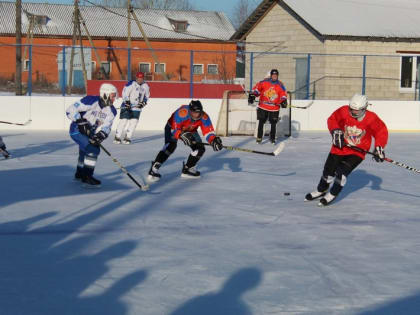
(203,25)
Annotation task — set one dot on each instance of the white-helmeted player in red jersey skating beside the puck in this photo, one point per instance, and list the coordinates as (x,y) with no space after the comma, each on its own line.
(349,125)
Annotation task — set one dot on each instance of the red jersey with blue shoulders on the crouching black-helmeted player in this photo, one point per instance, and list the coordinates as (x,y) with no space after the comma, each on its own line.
(181,121)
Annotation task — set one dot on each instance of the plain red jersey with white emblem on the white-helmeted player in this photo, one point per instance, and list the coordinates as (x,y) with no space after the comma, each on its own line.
(358,133)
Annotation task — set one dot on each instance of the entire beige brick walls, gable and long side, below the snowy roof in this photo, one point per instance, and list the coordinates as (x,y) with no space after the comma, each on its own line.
(335,77)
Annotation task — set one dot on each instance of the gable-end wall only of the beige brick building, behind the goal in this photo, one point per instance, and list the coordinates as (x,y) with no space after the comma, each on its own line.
(279,32)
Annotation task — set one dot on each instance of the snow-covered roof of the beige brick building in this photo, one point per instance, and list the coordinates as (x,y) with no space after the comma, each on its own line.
(360,18)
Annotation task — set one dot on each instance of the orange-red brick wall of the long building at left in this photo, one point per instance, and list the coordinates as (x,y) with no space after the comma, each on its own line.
(177,62)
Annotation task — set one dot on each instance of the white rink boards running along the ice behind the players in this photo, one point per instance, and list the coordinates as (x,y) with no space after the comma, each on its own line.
(48,113)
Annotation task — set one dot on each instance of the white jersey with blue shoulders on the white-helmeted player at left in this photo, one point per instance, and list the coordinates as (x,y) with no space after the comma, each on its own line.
(100,118)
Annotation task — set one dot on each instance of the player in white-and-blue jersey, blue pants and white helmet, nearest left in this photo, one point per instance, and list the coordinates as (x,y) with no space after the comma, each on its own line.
(92,118)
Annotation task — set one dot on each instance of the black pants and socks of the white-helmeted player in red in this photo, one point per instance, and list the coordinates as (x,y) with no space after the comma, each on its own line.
(336,169)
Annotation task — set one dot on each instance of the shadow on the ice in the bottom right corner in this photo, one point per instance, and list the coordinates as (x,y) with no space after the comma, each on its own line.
(408,306)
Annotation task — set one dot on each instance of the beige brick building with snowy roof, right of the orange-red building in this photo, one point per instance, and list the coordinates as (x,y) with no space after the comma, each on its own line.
(336,47)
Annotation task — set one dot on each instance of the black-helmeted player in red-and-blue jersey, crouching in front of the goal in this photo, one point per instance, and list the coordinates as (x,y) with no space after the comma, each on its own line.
(183,125)
